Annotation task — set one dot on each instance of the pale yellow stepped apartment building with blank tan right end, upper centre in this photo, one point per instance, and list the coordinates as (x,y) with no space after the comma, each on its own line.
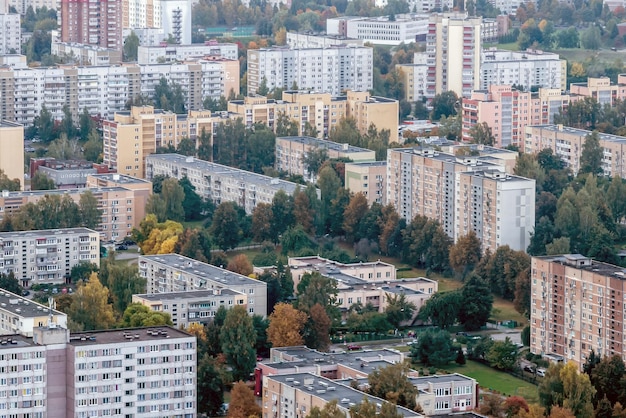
(321,110)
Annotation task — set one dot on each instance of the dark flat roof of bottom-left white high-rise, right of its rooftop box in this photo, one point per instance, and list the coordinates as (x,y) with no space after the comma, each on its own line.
(161,333)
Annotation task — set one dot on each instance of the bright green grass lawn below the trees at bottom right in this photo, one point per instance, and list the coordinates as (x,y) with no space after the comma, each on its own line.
(496,380)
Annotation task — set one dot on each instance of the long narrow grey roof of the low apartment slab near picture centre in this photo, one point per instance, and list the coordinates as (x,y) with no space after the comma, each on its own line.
(249,177)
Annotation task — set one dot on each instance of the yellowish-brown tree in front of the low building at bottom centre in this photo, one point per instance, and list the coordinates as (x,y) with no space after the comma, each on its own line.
(392,383)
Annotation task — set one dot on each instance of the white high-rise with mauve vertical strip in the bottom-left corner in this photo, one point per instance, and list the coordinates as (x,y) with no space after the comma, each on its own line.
(123,372)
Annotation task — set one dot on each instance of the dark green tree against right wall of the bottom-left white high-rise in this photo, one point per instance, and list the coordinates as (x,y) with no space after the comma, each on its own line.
(211,385)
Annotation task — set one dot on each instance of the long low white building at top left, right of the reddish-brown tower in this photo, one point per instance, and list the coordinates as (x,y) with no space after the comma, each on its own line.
(155,54)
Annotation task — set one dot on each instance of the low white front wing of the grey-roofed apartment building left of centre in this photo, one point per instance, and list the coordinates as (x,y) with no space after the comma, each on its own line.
(192,307)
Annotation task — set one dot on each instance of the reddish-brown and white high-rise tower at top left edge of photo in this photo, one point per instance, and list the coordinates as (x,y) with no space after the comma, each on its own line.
(92,22)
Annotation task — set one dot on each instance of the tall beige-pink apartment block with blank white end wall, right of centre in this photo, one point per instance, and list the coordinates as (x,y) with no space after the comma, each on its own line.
(462,193)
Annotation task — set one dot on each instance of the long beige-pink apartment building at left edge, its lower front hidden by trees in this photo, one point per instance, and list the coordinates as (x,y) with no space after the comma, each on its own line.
(122,209)
